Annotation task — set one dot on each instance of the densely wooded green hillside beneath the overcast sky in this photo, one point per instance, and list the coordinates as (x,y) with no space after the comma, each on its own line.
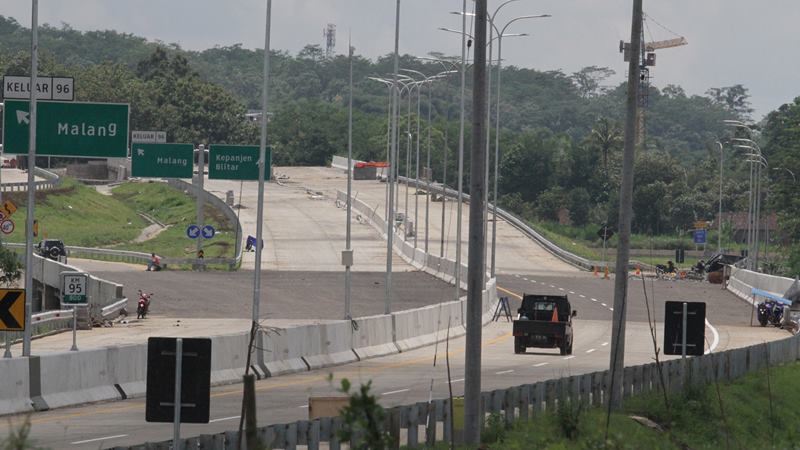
(561,140)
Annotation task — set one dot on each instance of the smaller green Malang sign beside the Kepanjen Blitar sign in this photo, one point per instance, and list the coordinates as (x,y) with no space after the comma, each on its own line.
(162,160)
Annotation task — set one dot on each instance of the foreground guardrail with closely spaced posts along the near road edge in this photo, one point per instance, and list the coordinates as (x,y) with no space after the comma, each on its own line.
(521,402)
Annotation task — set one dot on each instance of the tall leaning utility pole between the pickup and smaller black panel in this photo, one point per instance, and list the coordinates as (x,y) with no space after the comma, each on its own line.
(617,357)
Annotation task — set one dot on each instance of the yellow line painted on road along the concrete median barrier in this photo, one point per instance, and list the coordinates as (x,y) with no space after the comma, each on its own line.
(305,380)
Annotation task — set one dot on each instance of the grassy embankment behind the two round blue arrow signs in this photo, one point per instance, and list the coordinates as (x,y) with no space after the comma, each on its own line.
(81,216)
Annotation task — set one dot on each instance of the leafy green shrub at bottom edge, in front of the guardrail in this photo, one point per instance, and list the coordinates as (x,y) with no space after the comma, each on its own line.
(363,419)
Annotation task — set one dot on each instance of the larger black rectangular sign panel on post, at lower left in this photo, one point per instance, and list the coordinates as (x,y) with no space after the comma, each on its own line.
(195,380)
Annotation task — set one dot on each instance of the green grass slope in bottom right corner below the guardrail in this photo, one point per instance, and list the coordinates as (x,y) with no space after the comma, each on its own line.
(758,413)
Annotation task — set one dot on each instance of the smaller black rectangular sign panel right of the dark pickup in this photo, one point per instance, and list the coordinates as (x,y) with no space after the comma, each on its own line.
(695,328)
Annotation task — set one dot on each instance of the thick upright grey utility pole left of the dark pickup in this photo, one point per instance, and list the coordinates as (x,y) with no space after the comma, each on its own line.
(477,235)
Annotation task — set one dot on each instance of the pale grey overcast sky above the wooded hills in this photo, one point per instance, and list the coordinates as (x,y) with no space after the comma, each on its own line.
(730,41)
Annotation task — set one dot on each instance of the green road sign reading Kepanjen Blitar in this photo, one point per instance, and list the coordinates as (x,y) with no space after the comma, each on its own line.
(236,162)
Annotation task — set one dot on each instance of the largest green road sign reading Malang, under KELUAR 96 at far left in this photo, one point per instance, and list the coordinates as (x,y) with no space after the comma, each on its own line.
(67,129)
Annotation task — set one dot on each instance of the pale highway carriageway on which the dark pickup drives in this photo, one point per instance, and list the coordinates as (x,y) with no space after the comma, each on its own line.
(406,377)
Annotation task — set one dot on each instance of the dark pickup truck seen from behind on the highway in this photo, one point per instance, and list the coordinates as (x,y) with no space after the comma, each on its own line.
(544,321)
